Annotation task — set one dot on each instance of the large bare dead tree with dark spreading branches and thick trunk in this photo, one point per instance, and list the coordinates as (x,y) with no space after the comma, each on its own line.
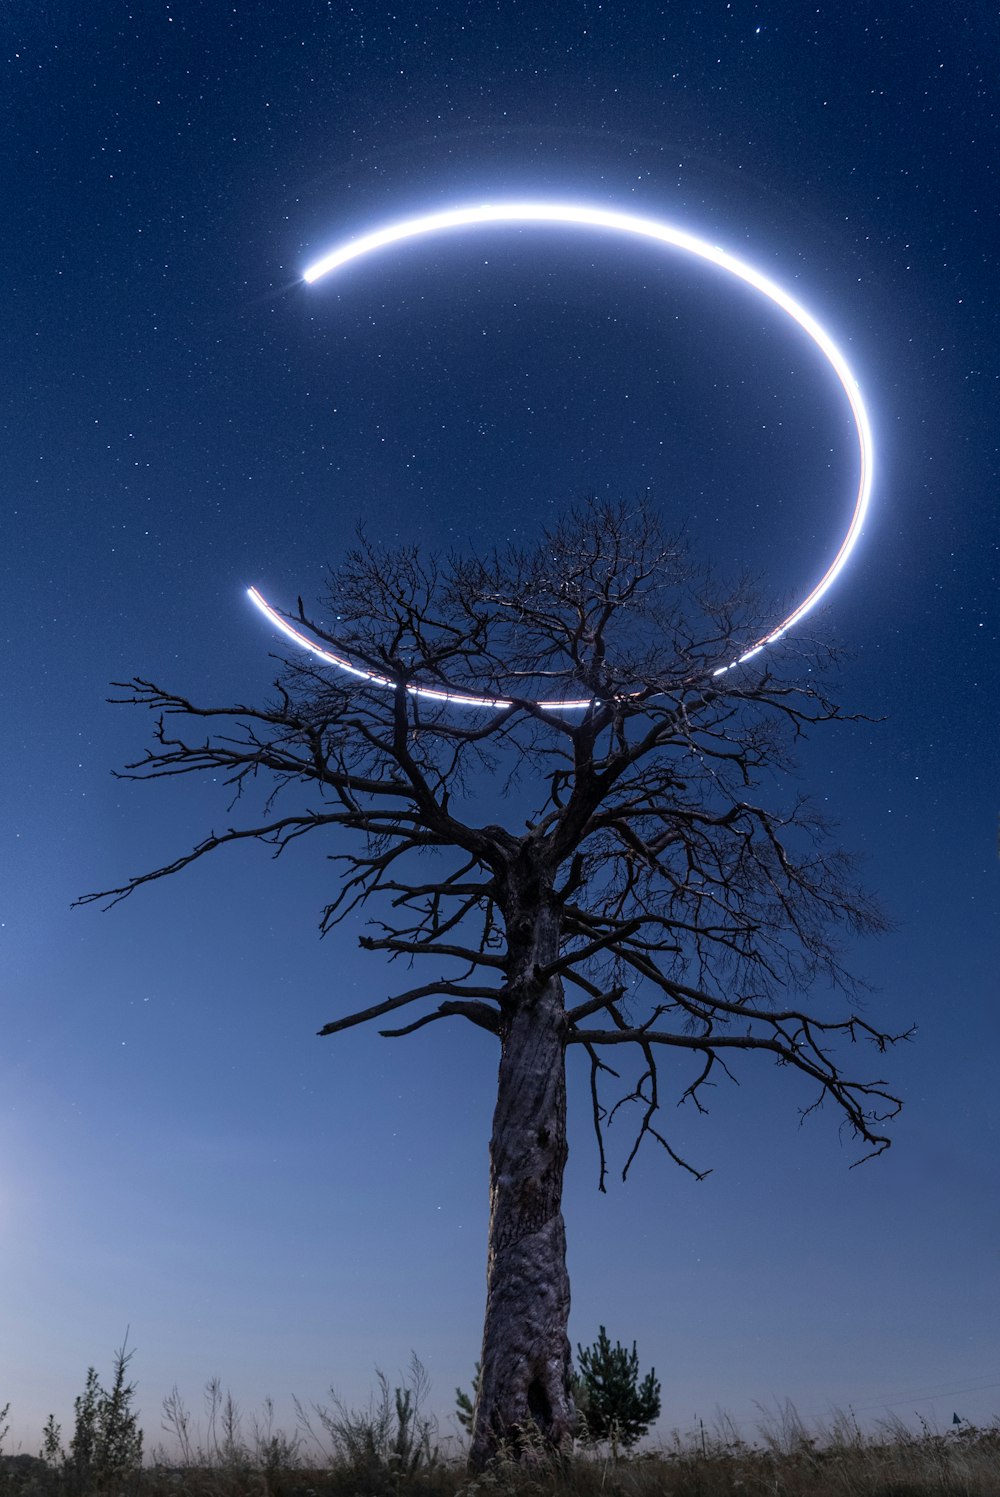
(650,902)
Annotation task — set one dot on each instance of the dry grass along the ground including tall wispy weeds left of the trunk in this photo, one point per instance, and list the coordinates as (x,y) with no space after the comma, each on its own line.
(390,1451)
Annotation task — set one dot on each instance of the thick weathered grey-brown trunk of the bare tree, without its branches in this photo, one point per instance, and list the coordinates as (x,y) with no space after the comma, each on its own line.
(525,1384)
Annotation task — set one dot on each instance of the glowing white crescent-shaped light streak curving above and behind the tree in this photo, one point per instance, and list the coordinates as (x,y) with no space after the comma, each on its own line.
(586,216)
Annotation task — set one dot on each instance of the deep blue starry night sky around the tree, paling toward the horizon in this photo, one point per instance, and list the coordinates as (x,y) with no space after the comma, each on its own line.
(183,417)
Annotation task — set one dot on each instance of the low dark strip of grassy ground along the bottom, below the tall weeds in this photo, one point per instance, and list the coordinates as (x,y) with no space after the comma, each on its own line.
(787,1462)
